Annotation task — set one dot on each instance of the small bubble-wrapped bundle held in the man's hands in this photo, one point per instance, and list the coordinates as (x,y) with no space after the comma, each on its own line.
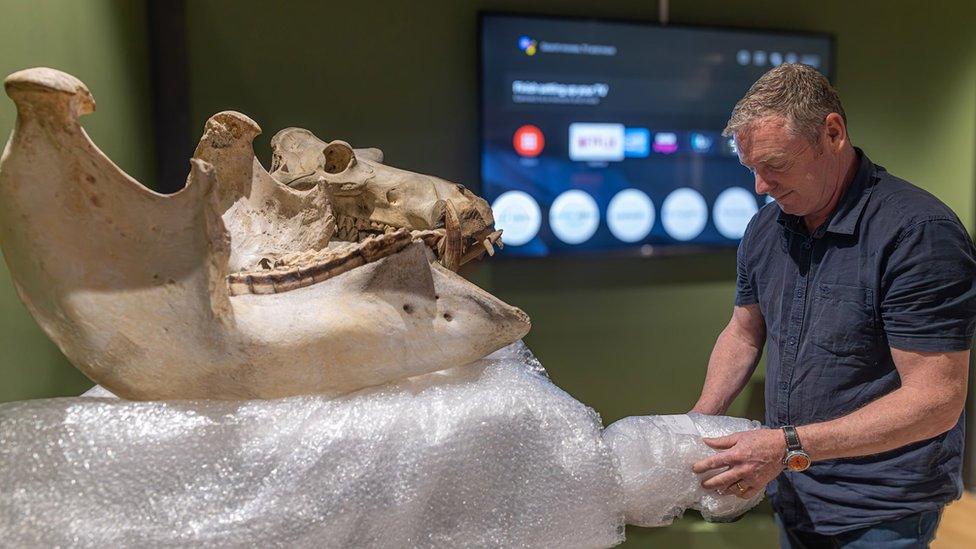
(655,454)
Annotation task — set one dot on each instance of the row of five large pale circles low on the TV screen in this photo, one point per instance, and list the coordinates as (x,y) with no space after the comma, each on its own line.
(574,215)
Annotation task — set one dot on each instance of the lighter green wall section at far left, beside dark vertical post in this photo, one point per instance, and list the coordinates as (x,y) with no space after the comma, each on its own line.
(103,43)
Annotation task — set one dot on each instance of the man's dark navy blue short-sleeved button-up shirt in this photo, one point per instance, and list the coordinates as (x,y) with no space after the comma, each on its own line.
(892,267)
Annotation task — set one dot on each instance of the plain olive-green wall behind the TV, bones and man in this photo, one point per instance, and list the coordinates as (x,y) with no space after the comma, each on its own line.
(624,336)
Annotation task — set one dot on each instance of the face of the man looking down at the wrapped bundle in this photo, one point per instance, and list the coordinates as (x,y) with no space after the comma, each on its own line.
(787,167)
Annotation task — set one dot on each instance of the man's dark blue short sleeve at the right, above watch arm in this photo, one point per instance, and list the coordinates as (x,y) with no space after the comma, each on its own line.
(929,288)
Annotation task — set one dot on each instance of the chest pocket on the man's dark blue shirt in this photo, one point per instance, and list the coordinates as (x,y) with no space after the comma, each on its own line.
(843,320)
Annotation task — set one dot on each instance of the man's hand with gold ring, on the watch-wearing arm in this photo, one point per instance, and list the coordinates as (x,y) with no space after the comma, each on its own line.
(749,460)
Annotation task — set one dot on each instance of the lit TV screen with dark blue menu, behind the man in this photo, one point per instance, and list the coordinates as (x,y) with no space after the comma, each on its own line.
(605,137)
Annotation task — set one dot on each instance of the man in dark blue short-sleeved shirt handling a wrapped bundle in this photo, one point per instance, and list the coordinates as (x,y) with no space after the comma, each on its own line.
(863,289)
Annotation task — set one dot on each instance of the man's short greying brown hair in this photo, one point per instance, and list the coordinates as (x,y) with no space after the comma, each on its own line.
(798,93)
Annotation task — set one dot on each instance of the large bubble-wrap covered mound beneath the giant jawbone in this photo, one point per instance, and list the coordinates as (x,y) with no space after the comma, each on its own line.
(491,455)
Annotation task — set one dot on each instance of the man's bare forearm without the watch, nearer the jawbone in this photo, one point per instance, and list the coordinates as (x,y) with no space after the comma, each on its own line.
(732,362)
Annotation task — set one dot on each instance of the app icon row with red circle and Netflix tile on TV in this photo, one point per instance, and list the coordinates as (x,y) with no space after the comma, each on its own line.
(606,142)
